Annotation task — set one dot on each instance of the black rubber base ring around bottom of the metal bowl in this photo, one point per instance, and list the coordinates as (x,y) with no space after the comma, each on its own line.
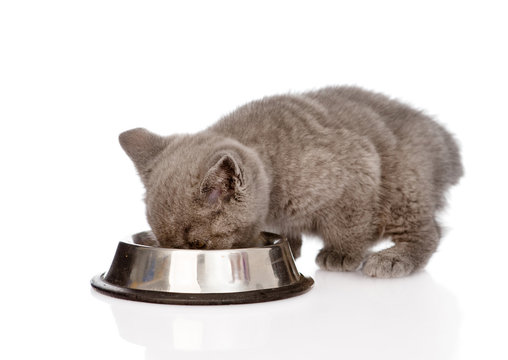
(244,297)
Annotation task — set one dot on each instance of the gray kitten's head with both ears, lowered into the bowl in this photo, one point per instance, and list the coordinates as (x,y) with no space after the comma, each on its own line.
(196,198)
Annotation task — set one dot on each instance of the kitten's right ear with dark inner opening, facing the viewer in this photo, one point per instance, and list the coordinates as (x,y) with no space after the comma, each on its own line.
(223,181)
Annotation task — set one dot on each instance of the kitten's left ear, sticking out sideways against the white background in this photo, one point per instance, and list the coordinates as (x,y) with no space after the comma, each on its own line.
(142,146)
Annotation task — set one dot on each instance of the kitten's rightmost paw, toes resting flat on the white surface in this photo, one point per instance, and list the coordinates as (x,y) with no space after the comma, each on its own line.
(386,265)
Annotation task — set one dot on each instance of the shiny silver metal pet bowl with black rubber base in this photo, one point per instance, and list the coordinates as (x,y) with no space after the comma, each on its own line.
(203,277)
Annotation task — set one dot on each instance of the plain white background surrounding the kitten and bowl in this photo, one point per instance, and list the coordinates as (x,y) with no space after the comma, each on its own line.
(74,74)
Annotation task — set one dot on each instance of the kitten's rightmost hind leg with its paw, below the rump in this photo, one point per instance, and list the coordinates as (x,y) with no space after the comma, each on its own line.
(411,252)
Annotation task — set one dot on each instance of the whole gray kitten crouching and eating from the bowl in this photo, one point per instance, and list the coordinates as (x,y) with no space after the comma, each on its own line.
(342,163)
